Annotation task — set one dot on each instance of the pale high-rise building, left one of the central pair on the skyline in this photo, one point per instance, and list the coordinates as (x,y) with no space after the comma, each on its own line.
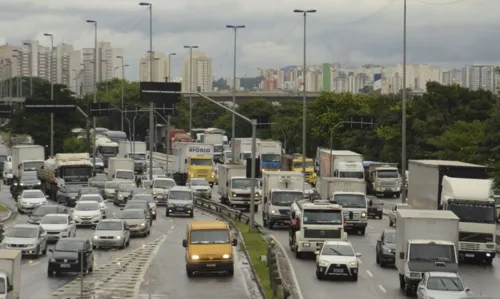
(160,67)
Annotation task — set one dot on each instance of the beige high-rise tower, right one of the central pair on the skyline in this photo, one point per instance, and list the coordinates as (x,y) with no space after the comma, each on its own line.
(201,68)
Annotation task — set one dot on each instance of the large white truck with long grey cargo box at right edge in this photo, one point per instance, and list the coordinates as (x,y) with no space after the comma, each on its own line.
(464,189)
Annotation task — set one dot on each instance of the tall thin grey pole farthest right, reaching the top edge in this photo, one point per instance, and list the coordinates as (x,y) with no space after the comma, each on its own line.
(403,112)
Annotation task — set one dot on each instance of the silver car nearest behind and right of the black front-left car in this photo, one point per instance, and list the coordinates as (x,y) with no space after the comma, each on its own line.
(111,233)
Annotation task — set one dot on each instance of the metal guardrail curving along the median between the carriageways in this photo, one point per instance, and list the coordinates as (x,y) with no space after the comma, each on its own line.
(278,264)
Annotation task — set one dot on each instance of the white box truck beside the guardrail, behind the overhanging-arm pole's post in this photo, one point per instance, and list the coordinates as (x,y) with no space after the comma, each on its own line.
(234,187)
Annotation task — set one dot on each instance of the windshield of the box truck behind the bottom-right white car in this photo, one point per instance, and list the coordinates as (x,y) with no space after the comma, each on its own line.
(432,252)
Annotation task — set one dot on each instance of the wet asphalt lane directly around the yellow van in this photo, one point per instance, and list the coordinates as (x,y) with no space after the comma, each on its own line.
(167,273)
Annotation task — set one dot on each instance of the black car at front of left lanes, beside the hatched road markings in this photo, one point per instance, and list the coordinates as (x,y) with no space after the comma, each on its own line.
(71,255)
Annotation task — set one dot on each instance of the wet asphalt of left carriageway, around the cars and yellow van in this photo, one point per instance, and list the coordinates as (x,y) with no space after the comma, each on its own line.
(165,277)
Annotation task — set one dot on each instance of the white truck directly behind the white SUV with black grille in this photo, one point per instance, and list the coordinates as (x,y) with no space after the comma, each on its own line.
(313,223)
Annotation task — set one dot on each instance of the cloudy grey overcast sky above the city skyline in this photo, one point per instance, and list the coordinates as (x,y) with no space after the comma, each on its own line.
(352,32)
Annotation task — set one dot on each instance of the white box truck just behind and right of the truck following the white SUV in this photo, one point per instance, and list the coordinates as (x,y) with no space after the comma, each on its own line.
(350,194)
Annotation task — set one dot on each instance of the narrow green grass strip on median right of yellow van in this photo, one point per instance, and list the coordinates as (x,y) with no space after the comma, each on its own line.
(257,247)
